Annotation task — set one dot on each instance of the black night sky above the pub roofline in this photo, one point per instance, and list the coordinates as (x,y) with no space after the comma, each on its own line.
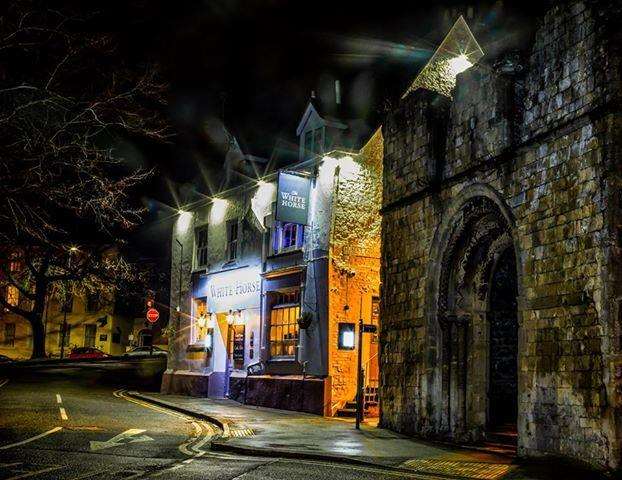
(255,63)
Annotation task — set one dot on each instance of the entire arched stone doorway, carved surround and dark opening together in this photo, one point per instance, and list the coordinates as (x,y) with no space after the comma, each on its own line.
(476,313)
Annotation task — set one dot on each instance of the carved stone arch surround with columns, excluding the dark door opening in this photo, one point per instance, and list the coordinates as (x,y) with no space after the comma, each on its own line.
(476,235)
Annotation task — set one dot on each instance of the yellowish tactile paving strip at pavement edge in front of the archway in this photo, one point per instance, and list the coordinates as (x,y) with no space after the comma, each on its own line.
(474,470)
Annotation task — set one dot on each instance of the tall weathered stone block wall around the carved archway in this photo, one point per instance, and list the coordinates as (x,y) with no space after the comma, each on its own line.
(542,145)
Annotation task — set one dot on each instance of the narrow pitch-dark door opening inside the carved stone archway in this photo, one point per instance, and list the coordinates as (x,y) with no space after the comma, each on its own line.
(503,346)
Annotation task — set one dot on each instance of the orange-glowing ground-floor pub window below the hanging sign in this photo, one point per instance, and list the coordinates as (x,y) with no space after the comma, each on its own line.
(284,324)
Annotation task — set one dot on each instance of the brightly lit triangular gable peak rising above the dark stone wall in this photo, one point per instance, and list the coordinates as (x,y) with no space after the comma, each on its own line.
(457,52)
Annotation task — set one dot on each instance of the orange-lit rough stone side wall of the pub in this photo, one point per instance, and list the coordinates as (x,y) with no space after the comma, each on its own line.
(354,269)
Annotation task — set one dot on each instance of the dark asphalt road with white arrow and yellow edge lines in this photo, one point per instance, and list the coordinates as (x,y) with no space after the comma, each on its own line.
(76,423)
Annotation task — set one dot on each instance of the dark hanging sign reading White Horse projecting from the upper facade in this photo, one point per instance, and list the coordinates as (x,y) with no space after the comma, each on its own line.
(292,198)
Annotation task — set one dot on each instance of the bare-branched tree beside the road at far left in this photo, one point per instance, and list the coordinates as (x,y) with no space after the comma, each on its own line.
(67,99)
